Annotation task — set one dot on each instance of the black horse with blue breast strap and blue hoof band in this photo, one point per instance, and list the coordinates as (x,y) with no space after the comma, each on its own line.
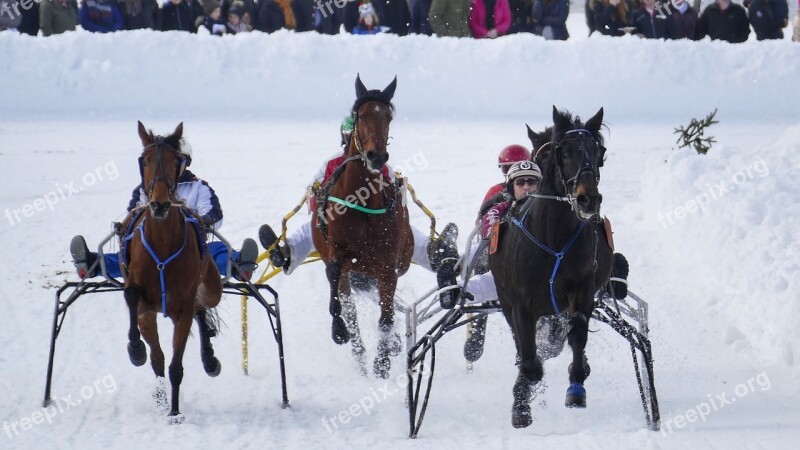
(553,256)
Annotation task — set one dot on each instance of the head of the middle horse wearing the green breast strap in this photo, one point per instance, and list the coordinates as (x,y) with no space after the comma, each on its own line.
(372,111)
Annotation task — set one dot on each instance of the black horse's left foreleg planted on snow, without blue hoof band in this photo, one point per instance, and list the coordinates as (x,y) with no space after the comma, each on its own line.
(530,366)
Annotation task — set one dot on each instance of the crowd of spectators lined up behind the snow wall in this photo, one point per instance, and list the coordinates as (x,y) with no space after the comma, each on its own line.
(481,19)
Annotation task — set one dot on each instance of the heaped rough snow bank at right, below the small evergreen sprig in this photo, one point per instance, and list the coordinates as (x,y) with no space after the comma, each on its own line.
(731,221)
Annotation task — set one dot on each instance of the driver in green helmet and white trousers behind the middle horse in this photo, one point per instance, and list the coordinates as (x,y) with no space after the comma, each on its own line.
(428,253)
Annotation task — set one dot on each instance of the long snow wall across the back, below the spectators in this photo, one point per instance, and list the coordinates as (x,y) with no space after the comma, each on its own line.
(285,74)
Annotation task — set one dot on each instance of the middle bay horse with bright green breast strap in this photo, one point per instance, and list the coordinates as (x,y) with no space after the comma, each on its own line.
(367,231)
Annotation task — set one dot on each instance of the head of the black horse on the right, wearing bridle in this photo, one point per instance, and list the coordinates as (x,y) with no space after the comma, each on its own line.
(571,161)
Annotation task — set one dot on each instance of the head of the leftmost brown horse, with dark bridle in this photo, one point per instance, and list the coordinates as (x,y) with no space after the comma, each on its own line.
(160,166)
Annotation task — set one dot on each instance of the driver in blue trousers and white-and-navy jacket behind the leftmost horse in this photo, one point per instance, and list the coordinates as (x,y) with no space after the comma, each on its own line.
(197,196)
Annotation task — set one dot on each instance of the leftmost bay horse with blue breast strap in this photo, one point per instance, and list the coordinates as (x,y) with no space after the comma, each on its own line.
(167,272)
